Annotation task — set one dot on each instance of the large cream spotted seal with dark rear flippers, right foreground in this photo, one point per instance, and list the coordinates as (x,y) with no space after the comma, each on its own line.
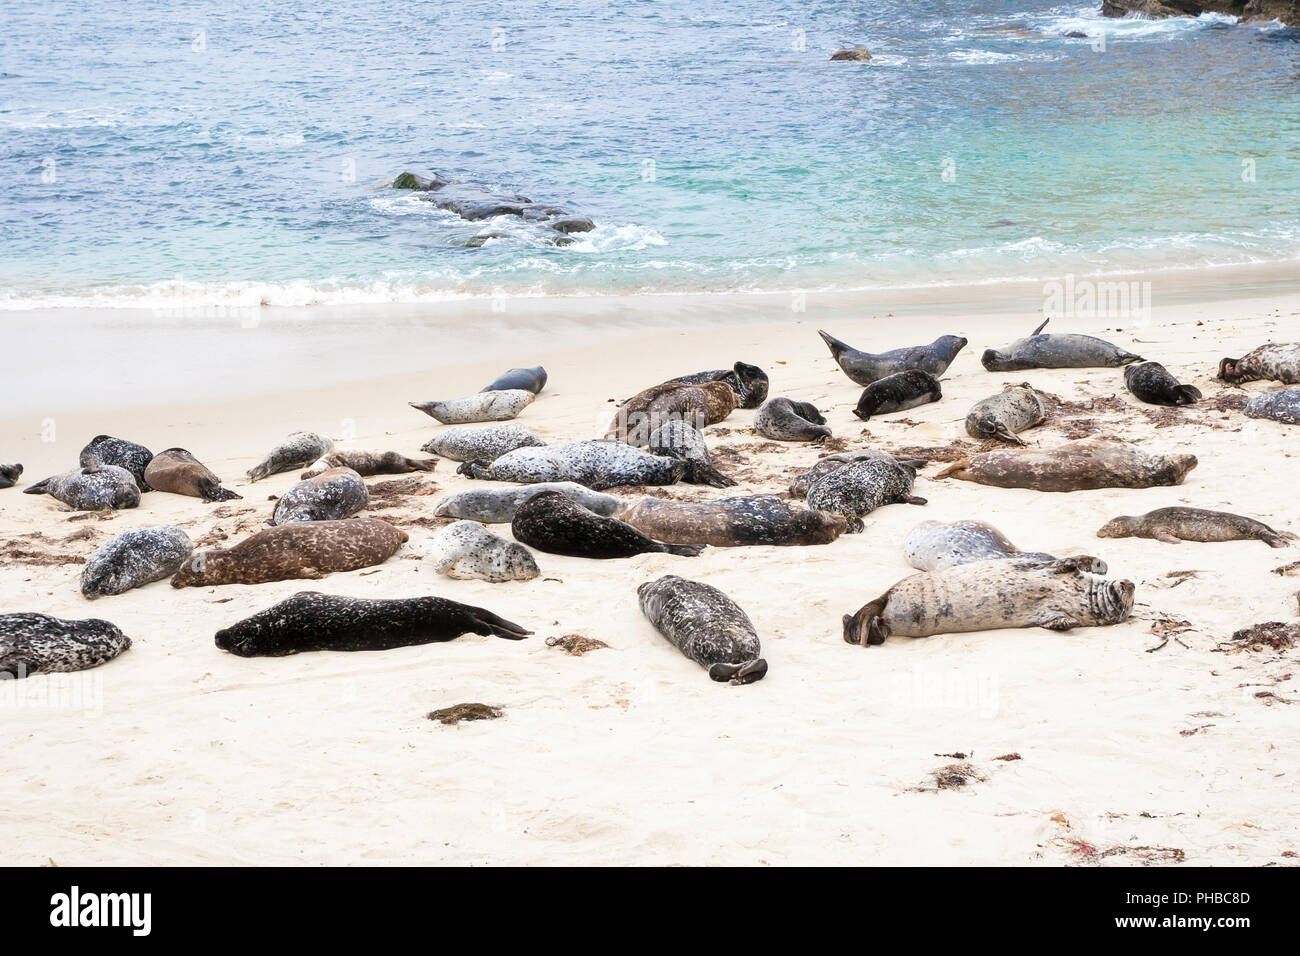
(989,595)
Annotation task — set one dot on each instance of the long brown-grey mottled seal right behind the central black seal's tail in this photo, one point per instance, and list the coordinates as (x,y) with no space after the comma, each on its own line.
(759,520)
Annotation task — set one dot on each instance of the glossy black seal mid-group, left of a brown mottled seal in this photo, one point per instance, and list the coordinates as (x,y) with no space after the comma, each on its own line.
(553,522)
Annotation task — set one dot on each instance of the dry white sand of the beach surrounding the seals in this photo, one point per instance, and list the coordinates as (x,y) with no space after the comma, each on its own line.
(184,754)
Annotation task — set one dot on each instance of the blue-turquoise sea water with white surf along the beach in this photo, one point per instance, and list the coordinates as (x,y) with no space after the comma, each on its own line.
(713,142)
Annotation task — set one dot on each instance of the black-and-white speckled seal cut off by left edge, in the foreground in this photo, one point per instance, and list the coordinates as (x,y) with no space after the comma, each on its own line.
(41,644)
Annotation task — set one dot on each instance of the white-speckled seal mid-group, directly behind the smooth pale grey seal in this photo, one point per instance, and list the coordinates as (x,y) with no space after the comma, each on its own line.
(596,464)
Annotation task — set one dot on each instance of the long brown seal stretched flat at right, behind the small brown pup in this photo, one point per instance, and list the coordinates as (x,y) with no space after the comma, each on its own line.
(1072,468)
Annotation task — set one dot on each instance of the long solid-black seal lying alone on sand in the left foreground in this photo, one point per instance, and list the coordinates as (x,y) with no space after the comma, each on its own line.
(311,621)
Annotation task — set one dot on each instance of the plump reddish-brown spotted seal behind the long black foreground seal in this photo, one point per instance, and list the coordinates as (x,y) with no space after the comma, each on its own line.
(291,552)
